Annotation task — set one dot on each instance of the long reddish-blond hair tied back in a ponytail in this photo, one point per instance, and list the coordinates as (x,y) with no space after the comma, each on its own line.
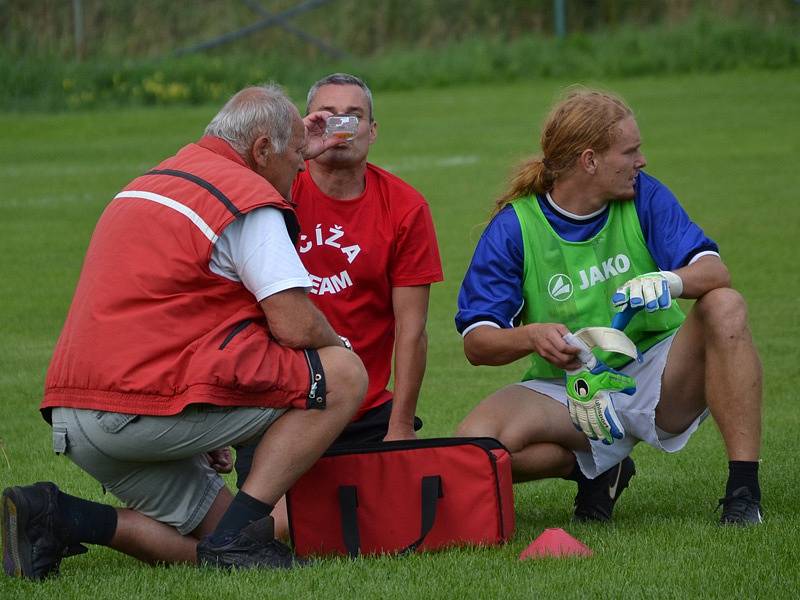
(584,118)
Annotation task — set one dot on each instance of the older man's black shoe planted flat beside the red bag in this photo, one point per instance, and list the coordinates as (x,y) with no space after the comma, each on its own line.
(253,547)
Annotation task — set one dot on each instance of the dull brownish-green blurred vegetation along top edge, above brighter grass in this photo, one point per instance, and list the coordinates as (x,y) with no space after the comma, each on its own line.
(363,28)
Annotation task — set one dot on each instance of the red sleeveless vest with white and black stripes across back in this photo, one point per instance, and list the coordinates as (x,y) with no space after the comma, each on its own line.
(151,328)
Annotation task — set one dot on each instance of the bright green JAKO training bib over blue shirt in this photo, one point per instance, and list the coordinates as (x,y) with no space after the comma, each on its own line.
(572,282)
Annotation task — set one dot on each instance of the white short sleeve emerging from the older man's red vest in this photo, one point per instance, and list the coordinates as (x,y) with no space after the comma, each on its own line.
(256,250)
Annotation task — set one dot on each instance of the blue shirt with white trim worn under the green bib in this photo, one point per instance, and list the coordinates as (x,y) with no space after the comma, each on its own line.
(492,288)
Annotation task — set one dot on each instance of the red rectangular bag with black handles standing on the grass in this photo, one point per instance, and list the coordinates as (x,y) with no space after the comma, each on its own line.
(403,496)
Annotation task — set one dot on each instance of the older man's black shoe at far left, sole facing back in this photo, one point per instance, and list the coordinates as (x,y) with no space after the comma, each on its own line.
(33,537)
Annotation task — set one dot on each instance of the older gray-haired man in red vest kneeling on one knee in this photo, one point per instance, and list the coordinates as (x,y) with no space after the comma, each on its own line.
(178,344)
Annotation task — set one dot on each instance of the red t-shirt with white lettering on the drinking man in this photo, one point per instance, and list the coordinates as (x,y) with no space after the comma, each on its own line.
(357,251)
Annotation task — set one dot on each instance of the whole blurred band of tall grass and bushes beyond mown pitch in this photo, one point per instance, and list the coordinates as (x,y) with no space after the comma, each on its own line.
(129,54)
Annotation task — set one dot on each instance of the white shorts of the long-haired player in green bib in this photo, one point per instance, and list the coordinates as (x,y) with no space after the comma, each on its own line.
(636,412)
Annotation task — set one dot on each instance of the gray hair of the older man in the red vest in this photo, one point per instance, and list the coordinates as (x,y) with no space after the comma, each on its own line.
(253,112)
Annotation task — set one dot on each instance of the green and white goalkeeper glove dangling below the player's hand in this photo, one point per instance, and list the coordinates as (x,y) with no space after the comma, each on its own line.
(589,401)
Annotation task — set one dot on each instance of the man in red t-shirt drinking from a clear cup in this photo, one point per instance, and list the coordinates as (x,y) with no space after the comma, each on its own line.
(368,242)
